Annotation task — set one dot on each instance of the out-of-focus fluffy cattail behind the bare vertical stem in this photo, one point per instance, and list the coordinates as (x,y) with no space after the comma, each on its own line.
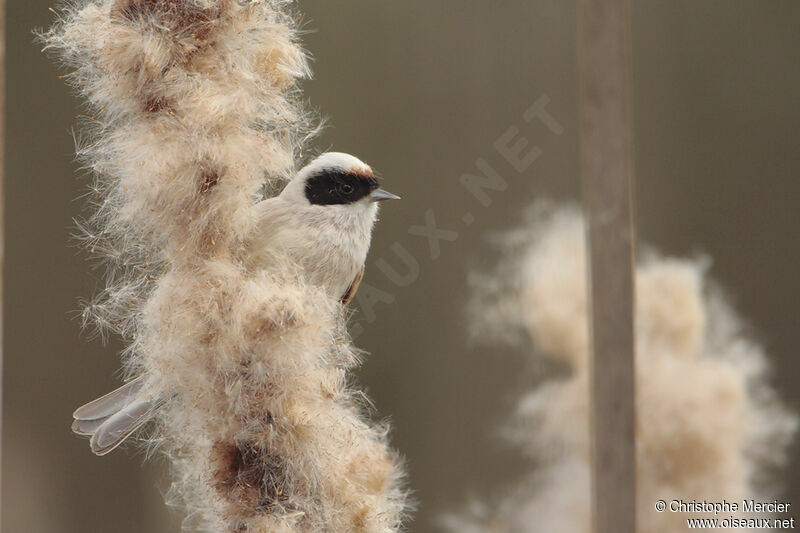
(709,425)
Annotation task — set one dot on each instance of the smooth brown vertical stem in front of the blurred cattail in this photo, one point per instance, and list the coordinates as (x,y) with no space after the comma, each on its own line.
(607,175)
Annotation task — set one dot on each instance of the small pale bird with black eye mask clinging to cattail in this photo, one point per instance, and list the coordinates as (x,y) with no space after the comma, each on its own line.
(321,223)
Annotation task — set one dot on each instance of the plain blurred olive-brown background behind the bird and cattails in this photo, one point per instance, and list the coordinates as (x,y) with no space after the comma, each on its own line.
(421,90)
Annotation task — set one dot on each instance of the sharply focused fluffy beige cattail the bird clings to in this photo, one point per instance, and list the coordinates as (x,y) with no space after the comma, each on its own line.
(193,110)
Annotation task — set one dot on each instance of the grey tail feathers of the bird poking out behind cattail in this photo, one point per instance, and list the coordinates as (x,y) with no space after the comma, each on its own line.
(112,418)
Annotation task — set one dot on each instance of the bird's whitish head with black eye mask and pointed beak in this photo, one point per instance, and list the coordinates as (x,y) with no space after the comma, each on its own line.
(335,180)
